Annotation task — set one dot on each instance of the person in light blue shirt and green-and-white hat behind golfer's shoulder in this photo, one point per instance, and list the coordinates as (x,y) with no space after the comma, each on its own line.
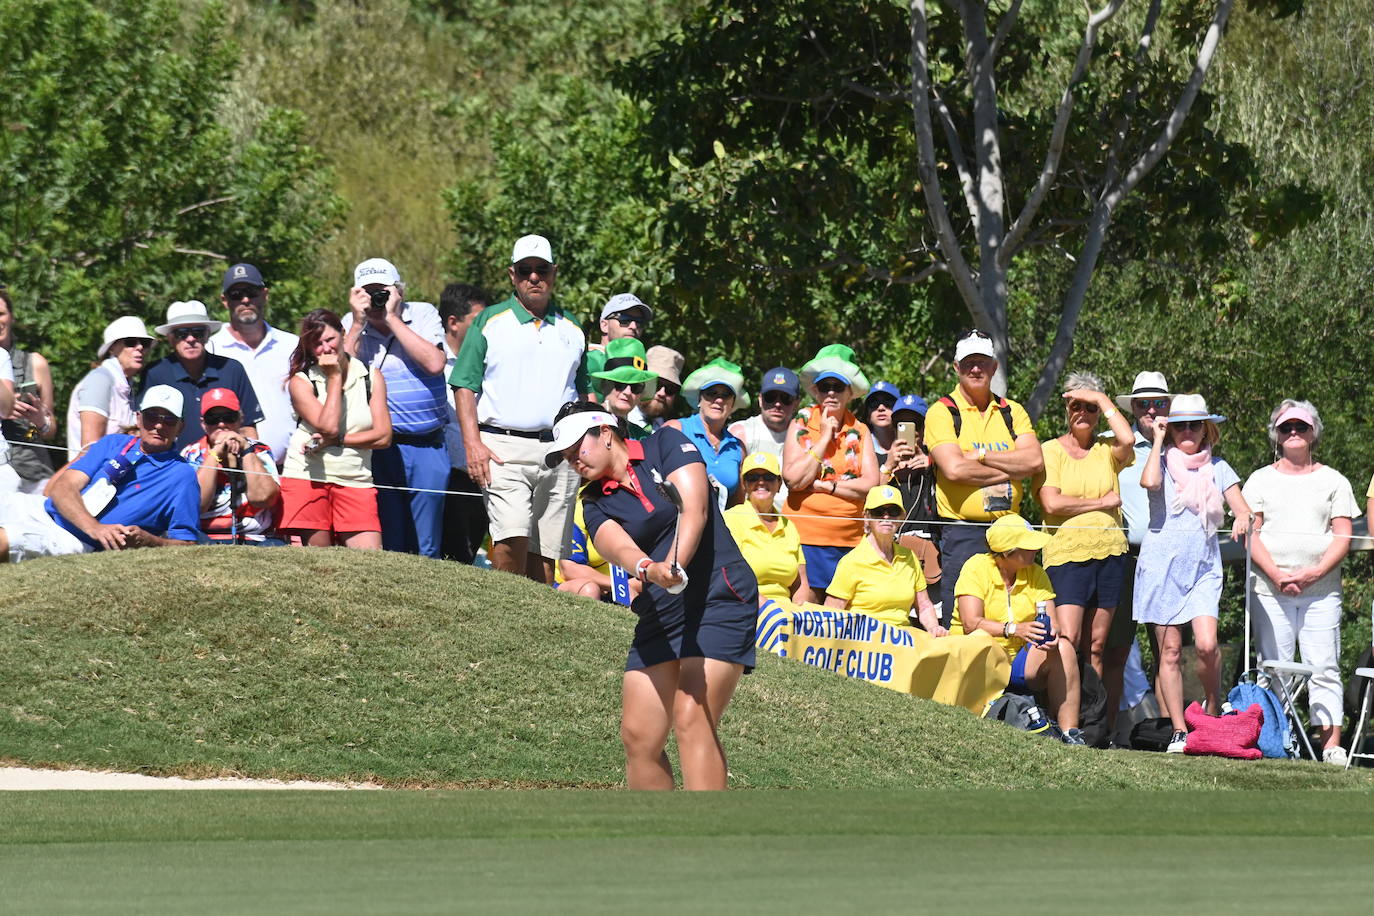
(715,391)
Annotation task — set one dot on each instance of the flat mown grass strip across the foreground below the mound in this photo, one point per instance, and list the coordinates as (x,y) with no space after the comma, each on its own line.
(766,852)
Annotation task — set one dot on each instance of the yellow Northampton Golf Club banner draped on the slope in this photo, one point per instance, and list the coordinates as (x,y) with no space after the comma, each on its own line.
(957,671)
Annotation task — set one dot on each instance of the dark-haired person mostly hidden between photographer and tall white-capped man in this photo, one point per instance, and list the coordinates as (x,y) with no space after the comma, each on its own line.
(465,516)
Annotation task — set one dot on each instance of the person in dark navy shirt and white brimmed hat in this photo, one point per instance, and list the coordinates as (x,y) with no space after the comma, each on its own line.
(193,370)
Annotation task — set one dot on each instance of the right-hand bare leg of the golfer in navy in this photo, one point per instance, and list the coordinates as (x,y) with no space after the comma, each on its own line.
(704,691)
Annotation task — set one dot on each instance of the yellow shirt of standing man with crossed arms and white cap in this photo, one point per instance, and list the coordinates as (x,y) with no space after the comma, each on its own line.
(984,431)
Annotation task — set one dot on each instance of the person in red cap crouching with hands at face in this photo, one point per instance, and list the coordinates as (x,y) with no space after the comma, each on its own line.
(240,484)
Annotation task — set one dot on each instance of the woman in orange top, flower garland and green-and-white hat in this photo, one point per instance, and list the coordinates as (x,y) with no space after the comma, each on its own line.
(829,465)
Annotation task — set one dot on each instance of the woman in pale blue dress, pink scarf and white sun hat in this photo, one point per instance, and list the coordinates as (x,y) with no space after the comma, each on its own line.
(1178,580)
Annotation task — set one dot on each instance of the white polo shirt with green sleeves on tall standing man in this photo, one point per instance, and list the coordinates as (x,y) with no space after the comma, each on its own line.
(523,369)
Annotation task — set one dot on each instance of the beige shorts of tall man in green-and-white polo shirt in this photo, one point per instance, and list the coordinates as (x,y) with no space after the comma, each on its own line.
(527,499)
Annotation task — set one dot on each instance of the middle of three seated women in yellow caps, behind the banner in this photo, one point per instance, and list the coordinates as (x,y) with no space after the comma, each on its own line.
(879,577)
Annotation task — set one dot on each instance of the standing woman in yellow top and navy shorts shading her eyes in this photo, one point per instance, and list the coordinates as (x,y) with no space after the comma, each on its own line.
(1082,498)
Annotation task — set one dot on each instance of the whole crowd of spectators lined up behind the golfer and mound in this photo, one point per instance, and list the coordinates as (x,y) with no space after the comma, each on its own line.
(405,426)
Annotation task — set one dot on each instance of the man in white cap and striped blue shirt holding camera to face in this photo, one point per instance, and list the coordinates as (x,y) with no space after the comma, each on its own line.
(405,341)
